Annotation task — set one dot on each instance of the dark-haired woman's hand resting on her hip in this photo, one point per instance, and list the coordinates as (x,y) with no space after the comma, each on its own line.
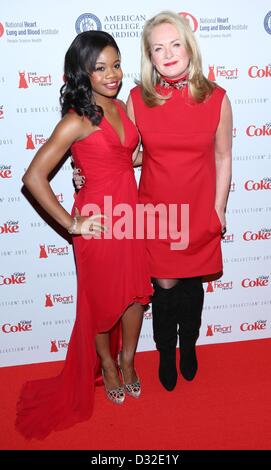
(87,225)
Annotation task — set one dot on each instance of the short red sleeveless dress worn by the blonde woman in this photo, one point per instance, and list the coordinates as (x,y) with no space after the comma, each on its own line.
(178,141)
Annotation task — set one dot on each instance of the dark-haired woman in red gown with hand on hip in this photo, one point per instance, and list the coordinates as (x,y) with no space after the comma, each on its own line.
(113,282)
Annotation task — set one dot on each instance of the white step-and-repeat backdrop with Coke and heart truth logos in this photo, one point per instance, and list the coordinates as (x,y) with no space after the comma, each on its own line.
(37,271)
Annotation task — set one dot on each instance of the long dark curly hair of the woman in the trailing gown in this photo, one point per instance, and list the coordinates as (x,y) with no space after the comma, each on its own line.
(80,61)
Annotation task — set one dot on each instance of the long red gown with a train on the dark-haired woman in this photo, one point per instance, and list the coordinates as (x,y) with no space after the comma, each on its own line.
(112,273)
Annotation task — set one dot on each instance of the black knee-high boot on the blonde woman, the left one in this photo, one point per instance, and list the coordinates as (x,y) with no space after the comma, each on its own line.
(164,312)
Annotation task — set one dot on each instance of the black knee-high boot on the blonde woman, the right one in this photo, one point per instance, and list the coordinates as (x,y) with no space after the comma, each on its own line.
(192,296)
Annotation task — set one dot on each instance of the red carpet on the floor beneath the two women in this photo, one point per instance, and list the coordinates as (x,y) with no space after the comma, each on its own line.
(227,406)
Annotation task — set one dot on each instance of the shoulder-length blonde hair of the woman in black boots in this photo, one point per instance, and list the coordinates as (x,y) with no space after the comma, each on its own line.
(199,86)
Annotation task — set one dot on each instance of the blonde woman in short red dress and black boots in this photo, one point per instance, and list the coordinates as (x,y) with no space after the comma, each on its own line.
(185,123)
